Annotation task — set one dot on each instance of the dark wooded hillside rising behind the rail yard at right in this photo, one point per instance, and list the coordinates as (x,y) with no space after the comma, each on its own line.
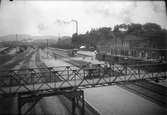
(148,35)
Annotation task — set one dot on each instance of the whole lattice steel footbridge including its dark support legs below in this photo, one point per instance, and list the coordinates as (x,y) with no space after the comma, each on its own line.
(30,85)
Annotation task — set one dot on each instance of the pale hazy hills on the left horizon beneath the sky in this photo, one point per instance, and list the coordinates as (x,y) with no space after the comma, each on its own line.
(12,40)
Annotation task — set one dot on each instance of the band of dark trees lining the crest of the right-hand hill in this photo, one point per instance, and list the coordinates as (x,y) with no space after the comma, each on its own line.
(92,38)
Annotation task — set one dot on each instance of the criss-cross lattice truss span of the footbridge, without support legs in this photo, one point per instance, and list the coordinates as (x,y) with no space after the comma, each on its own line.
(37,79)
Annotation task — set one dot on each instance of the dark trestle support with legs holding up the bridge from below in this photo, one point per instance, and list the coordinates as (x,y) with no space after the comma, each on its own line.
(33,99)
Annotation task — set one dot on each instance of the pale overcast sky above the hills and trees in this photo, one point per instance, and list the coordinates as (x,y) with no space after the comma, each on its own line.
(54,17)
